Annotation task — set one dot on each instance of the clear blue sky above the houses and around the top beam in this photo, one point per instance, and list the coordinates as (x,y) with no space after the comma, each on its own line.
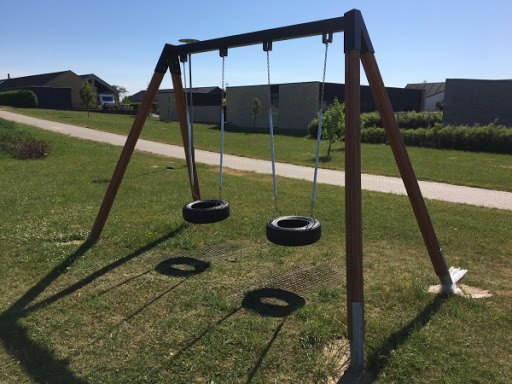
(120,41)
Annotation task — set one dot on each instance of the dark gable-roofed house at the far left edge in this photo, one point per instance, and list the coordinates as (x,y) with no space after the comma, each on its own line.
(58,90)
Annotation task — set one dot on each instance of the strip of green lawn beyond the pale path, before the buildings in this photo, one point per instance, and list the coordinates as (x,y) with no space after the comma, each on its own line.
(484,170)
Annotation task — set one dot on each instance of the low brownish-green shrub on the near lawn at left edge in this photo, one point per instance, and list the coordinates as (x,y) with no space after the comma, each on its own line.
(21,144)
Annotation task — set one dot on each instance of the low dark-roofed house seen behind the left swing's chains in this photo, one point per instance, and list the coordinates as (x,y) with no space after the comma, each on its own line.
(206,103)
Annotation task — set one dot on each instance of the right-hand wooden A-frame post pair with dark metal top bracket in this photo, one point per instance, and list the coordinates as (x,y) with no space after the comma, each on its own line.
(358,49)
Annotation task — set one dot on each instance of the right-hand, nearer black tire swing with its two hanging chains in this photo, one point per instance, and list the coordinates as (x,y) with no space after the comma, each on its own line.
(295,230)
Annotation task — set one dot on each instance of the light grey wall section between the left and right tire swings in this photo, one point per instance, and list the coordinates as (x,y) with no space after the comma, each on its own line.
(239,107)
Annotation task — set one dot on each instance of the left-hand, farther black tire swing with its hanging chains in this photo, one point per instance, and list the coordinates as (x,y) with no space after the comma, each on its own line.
(209,210)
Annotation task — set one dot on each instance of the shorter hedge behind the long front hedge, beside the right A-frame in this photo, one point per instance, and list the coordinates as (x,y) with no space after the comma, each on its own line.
(406,120)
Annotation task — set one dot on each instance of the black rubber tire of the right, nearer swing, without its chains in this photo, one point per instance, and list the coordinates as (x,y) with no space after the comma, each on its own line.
(288,231)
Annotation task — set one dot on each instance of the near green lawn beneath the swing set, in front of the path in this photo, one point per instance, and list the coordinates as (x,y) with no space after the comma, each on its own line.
(70,313)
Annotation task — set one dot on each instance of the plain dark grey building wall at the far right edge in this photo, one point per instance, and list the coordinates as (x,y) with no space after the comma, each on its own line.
(478,101)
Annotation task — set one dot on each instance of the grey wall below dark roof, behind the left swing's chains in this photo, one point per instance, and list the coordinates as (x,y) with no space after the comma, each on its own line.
(209,114)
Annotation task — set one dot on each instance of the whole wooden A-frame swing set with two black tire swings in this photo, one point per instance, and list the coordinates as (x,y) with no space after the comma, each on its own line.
(295,230)
